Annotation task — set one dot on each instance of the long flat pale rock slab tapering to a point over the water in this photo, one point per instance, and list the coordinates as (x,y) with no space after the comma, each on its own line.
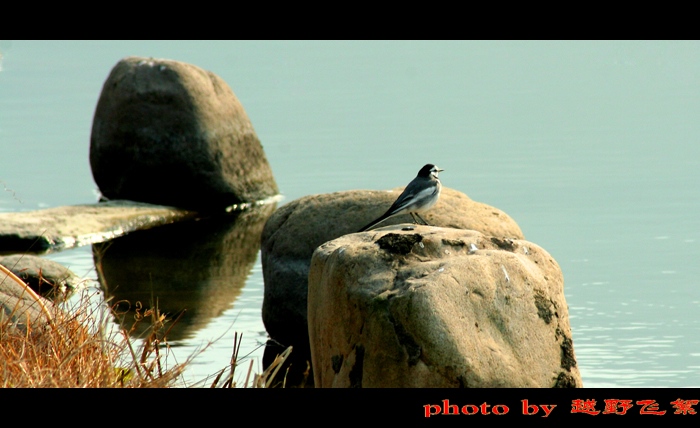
(71,226)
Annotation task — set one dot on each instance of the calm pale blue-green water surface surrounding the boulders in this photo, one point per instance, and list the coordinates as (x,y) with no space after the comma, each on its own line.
(592,147)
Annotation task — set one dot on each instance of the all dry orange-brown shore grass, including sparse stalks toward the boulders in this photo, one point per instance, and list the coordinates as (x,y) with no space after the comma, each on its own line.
(79,348)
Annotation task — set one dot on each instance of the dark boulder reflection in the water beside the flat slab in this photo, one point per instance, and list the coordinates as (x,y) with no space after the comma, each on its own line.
(196,266)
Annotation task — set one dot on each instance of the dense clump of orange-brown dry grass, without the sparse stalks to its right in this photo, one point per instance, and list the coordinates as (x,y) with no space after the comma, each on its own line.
(77,349)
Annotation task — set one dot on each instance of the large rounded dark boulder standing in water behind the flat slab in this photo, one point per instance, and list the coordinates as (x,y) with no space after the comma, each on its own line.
(166,132)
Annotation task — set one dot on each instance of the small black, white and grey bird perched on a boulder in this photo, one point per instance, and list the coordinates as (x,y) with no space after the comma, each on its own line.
(419,196)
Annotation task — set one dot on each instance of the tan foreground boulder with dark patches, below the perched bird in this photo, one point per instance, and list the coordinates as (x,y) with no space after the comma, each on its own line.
(437,307)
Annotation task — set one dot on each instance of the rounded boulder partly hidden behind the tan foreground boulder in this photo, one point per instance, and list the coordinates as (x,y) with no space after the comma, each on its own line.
(295,230)
